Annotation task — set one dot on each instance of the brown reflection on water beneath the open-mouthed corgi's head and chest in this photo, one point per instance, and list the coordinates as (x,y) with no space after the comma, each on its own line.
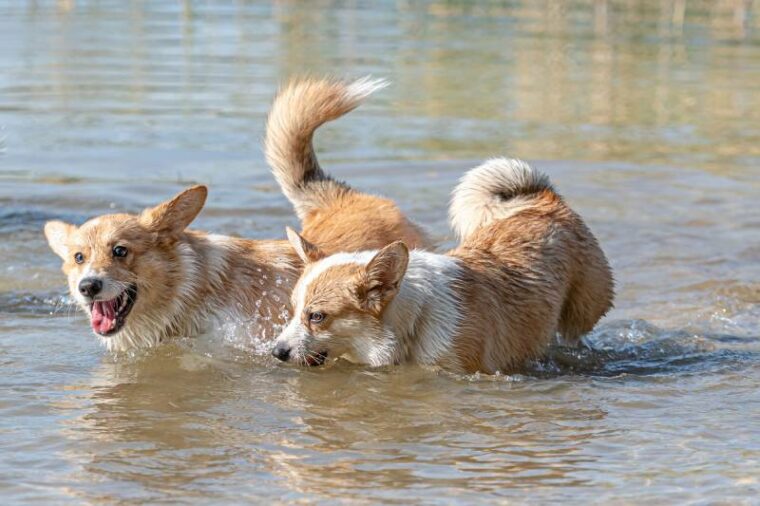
(153,424)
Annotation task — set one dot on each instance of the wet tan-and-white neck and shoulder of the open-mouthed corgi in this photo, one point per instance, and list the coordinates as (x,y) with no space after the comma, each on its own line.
(221,283)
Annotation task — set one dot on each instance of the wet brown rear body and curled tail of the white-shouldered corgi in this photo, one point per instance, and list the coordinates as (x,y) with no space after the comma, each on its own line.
(534,268)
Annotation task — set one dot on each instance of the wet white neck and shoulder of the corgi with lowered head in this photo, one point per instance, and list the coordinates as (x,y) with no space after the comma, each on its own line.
(423,318)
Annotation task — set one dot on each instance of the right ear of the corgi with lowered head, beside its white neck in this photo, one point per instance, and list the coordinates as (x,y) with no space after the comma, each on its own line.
(383,276)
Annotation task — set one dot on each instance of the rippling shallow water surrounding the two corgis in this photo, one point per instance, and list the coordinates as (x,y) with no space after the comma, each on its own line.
(647,124)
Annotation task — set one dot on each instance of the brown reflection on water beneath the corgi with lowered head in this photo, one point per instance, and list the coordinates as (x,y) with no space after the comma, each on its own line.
(411,429)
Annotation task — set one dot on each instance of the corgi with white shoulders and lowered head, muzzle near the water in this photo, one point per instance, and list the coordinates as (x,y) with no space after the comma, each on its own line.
(527,268)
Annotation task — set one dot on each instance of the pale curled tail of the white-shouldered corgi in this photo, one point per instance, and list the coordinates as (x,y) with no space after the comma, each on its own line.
(494,190)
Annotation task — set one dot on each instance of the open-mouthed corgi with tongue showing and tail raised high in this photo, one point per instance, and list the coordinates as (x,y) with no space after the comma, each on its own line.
(146,277)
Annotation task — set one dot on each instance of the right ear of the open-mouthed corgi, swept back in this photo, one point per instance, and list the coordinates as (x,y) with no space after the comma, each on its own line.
(173,216)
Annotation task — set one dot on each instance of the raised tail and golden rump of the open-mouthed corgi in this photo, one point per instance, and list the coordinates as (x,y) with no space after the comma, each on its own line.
(334,213)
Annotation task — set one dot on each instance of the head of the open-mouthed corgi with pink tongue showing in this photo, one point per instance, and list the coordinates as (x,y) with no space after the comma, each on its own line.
(123,267)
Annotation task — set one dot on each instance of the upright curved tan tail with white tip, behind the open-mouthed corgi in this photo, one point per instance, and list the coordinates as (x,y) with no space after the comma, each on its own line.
(301,107)
